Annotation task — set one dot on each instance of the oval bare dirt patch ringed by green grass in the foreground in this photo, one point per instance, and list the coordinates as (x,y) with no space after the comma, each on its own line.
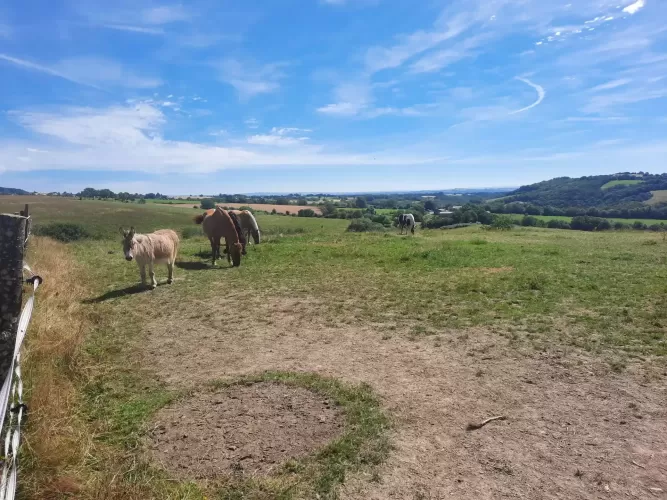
(248,430)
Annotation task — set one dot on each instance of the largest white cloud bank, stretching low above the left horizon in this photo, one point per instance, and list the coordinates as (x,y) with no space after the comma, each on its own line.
(129,139)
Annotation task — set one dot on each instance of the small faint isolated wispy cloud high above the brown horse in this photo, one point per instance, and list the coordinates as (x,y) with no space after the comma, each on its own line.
(250,79)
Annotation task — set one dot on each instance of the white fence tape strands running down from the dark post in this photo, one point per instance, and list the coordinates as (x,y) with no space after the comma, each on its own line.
(11,395)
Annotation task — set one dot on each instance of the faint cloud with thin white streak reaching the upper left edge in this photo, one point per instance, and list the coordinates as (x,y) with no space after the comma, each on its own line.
(91,72)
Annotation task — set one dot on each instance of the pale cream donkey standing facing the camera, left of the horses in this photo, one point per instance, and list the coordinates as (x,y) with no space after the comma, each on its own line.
(160,247)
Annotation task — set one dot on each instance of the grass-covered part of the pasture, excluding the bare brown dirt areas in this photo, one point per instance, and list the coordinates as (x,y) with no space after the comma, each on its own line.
(535,290)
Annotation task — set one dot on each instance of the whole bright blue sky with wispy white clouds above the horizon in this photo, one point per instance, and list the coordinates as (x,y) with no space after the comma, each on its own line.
(340,95)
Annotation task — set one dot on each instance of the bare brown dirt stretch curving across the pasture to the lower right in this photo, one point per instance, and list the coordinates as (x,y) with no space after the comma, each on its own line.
(574,430)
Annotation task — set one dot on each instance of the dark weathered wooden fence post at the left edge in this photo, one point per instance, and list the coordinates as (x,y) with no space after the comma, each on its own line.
(12,246)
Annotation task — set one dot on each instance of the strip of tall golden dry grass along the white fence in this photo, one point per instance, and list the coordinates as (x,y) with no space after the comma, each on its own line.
(57,440)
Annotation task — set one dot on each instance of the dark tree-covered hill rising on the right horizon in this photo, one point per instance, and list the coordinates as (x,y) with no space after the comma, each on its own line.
(601,191)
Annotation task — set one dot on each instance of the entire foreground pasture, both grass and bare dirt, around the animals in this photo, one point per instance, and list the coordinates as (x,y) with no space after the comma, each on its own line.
(405,340)
